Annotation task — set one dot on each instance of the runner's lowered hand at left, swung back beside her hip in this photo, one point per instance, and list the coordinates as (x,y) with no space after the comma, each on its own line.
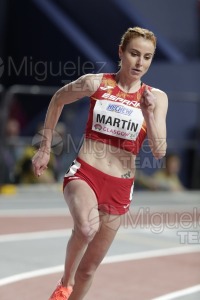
(40,161)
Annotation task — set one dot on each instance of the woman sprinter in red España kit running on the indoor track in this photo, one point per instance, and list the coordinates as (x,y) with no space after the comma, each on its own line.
(99,184)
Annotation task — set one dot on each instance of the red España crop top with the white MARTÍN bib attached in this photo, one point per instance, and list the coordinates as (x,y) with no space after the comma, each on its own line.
(115,117)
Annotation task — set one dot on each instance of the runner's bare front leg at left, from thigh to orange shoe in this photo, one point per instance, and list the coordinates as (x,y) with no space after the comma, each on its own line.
(83,207)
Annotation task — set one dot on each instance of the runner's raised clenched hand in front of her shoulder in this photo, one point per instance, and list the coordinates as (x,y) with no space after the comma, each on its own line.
(147,102)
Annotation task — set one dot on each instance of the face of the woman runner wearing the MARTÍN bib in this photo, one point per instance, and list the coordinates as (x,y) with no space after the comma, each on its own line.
(137,57)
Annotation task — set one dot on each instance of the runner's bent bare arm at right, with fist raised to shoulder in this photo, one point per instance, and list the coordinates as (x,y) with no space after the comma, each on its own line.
(154,105)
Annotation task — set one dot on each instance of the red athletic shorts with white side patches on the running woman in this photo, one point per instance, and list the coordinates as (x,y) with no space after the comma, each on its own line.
(113,194)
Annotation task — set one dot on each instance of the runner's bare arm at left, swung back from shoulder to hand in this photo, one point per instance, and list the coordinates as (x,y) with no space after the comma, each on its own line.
(84,86)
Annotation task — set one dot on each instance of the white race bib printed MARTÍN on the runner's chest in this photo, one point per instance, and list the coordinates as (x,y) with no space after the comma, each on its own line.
(117,119)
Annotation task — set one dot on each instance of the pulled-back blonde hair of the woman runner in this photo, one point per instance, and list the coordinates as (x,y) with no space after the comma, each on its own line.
(135,32)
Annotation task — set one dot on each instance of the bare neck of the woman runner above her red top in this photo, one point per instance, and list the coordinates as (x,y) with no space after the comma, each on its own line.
(127,84)
